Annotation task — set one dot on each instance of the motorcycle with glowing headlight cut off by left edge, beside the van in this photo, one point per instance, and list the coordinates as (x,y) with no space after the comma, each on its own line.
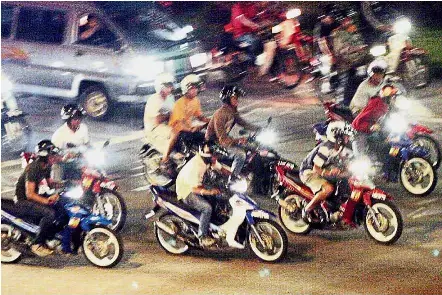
(16,132)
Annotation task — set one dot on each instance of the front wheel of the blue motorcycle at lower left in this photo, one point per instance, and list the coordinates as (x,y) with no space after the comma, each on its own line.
(98,260)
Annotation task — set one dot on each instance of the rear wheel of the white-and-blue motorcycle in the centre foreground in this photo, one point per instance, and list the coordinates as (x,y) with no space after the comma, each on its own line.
(170,243)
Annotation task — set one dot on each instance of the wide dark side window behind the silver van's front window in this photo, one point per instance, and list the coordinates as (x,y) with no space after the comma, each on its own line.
(40,25)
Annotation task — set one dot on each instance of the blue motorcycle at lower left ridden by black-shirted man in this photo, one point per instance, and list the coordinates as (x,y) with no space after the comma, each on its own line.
(101,246)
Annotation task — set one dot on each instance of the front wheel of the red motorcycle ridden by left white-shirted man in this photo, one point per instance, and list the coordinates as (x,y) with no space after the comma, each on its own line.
(114,208)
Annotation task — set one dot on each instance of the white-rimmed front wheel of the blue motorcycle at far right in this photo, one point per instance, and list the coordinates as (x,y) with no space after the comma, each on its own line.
(404,176)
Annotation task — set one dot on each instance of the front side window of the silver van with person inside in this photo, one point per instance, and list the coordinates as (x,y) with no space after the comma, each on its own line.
(94,32)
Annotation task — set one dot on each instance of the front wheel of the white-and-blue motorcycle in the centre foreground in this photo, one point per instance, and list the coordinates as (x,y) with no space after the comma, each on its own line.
(275,242)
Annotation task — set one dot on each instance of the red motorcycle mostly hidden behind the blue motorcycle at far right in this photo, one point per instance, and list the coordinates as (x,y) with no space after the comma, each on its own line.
(419,134)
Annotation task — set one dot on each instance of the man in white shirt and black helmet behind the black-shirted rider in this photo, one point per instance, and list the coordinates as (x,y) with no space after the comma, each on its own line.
(73,132)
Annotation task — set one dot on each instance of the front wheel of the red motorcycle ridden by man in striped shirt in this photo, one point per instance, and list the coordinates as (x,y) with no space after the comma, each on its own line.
(387,224)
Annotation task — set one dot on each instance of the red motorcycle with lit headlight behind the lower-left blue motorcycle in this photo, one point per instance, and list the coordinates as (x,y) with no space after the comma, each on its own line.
(98,192)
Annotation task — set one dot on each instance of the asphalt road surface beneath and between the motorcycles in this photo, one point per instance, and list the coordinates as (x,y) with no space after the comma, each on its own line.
(324,262)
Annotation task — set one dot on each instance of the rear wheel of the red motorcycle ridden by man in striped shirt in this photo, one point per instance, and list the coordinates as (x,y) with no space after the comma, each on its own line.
(292,221)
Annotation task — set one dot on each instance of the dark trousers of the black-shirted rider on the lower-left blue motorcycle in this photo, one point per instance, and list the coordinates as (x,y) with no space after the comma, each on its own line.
(43,215)
